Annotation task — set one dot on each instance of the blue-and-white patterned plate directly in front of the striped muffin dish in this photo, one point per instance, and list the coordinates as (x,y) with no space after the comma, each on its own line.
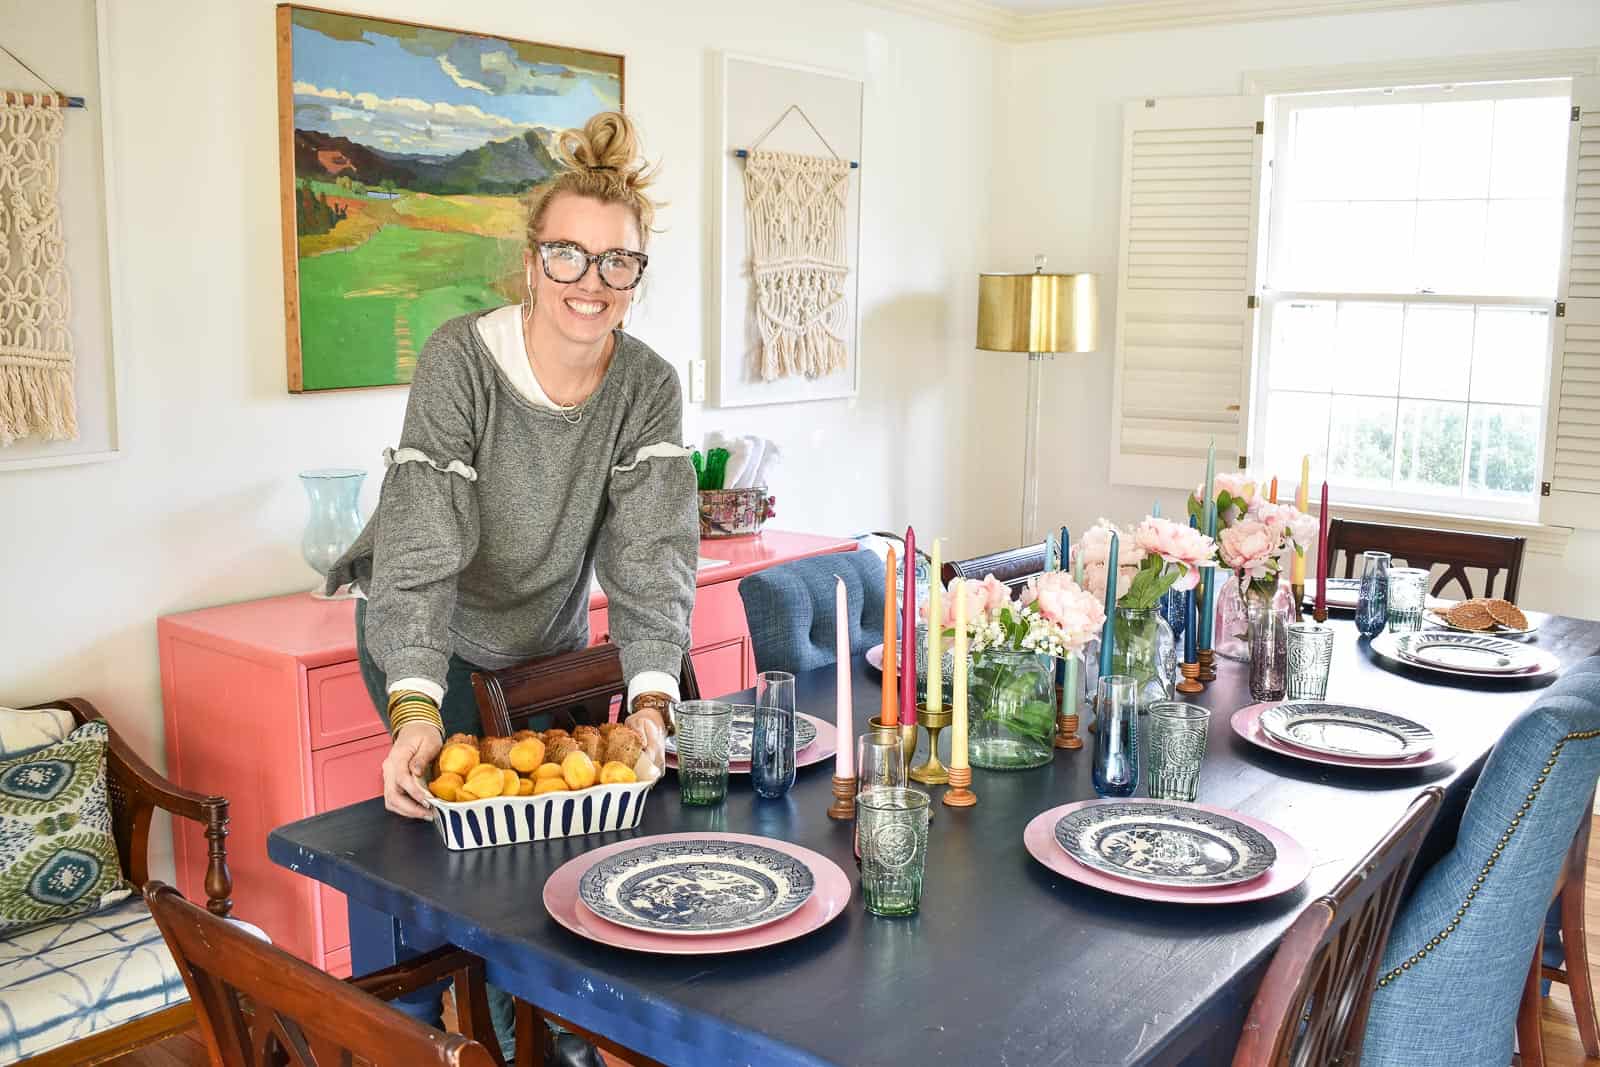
(703,887)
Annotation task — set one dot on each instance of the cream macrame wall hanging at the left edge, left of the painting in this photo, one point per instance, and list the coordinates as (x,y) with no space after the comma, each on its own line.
(36,351)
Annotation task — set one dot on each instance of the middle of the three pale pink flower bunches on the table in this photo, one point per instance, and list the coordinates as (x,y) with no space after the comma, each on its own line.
(1154,557)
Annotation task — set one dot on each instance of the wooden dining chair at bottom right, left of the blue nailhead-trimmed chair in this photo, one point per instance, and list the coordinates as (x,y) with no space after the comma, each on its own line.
(1311,1009)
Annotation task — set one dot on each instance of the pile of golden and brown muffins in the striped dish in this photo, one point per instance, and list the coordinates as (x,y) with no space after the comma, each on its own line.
(530,764)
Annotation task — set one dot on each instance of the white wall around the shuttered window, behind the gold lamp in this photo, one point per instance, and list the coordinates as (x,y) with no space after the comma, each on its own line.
(1062,196)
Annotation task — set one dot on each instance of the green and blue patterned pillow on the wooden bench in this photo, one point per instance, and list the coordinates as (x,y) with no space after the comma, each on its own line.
(58,857)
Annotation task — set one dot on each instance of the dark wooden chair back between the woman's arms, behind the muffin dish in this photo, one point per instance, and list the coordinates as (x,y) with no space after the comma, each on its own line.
(572,689)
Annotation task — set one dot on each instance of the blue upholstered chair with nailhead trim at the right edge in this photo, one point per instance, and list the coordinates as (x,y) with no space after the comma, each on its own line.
(1462,948)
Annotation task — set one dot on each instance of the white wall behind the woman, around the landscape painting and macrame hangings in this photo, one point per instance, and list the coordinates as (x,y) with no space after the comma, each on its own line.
(206,508)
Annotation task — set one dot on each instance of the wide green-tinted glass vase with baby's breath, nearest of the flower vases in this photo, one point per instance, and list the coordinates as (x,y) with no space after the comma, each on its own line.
(1012,709)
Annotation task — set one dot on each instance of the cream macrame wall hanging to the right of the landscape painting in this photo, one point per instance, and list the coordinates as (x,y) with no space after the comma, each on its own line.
(796,210)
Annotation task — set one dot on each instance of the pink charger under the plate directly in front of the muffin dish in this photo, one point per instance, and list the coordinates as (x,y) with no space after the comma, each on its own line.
(828,900)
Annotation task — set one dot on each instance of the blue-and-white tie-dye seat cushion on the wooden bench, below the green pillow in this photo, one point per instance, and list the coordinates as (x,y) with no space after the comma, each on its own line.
(81,977)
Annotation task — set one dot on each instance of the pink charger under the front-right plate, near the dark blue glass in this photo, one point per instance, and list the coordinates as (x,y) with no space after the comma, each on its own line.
(1290,869)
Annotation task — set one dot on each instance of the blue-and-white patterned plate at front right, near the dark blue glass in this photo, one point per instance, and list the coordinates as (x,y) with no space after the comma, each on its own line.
(1166,845)
